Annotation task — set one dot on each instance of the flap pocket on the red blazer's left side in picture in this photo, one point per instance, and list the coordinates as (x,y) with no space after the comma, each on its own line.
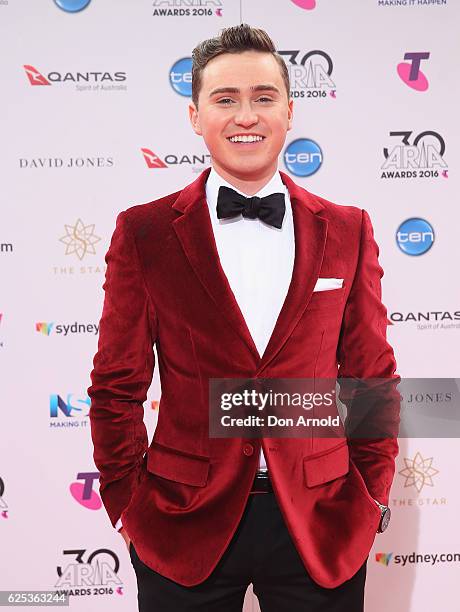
(172,465)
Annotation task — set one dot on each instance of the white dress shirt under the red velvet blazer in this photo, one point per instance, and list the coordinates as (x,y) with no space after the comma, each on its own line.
(257,259)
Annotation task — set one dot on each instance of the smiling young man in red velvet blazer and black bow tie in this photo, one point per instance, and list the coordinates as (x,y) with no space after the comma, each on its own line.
(241,274)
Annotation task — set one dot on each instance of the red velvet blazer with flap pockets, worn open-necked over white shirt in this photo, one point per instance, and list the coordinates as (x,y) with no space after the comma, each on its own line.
(182,497)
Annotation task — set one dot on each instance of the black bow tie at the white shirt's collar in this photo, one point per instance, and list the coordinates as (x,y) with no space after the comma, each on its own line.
(269,209)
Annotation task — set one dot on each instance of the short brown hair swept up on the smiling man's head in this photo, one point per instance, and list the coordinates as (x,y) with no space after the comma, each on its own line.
(235,39)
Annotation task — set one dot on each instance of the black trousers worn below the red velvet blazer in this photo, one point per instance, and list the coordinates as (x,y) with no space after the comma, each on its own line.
(261,552)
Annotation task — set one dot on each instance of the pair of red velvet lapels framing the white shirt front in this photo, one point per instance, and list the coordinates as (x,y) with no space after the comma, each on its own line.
(194,231)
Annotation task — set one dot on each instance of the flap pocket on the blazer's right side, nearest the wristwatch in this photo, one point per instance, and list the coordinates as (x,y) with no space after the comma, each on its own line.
(327,465)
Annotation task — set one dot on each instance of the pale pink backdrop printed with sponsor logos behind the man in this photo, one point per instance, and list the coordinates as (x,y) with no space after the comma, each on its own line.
(93,119)
